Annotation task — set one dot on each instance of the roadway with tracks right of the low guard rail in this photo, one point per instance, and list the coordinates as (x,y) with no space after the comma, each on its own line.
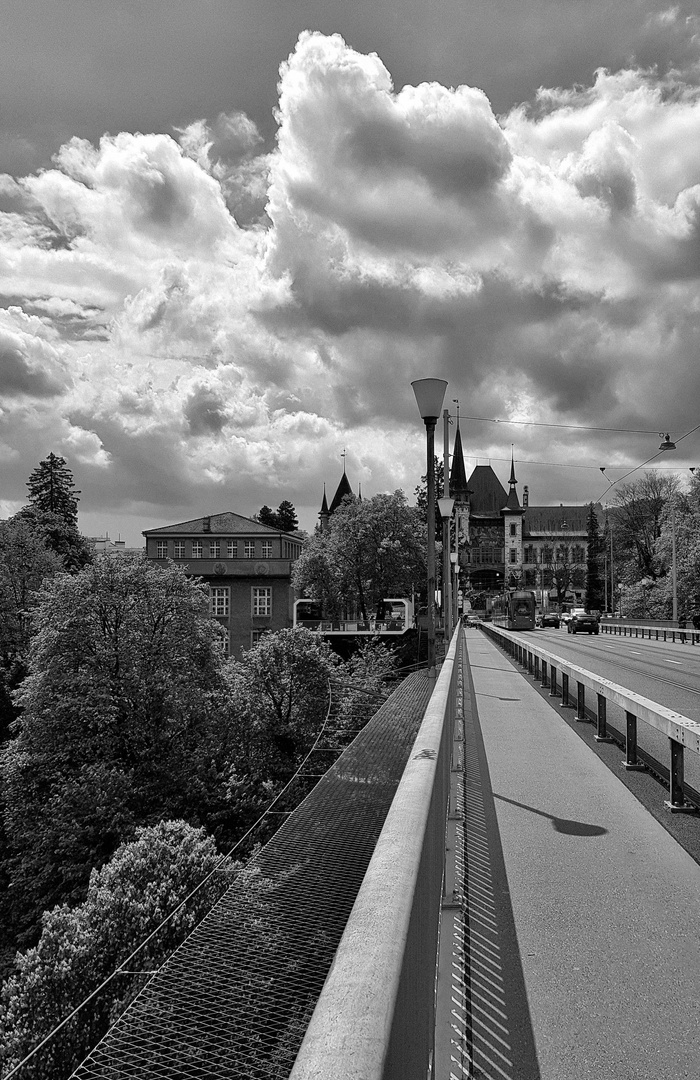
(662,671)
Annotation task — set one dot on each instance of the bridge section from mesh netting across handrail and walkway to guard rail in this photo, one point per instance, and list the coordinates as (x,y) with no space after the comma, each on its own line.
(477,888)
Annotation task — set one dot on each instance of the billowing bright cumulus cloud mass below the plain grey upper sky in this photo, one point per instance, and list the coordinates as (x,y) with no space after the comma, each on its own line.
(201,323)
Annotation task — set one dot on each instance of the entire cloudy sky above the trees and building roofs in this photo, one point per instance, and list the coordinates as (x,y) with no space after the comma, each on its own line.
(233,233)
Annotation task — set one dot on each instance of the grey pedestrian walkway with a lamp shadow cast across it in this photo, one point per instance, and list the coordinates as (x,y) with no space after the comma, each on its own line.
(584,912)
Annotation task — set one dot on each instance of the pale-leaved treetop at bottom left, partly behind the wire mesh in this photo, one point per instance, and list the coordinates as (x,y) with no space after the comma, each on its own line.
(79,948)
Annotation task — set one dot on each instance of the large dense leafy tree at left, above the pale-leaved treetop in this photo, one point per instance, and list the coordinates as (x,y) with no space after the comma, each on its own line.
(123,725)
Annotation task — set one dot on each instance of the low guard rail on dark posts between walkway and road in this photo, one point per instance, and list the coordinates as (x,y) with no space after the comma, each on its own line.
(570,682)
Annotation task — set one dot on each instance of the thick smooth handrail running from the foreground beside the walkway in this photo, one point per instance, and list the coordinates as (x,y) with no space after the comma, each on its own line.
(376,1016)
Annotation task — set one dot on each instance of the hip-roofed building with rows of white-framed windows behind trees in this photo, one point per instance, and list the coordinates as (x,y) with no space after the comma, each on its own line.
(247,565)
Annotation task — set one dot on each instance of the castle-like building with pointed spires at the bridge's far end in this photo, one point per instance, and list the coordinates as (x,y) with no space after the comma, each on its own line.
(514,545)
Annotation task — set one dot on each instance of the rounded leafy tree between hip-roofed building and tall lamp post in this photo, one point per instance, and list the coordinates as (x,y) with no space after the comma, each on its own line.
(373,549)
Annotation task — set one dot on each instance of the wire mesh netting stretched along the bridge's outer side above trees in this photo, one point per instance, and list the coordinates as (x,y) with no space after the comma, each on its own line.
(234,1002)
